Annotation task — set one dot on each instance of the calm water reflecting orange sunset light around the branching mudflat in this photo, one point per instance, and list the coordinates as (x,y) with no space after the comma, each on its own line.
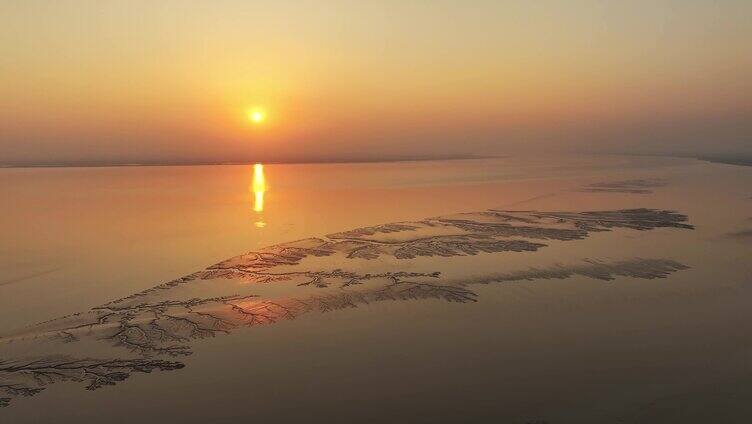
(524,346)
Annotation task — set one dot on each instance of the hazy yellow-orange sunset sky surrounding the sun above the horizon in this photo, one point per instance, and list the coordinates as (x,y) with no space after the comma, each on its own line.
(131,80)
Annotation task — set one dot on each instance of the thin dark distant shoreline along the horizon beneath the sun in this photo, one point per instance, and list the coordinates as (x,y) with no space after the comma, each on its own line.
(244,162)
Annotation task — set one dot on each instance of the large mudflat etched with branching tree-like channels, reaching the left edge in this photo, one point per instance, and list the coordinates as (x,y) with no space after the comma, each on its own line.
(337,271)
